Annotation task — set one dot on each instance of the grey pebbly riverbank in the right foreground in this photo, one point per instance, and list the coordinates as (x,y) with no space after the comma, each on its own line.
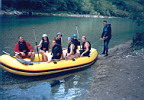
(119,76)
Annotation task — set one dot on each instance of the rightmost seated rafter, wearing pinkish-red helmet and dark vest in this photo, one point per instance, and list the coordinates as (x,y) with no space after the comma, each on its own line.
(86,47)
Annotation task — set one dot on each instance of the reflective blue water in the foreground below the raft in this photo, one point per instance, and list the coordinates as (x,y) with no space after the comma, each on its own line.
(66,87)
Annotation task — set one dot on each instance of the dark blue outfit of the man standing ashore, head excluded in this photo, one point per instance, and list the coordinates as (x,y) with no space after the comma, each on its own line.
(106,33)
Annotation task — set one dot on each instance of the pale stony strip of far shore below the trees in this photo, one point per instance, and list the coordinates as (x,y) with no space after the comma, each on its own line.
(31,14)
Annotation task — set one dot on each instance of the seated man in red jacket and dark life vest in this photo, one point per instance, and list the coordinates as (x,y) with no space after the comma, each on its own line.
(24,49)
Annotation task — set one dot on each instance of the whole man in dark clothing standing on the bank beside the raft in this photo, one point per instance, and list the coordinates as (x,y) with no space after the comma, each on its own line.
(106,36)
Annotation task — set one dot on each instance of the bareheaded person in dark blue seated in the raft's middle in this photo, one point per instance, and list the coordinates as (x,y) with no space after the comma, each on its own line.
(56,50)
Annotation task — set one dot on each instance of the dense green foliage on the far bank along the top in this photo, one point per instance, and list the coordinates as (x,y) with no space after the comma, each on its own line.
(119,8)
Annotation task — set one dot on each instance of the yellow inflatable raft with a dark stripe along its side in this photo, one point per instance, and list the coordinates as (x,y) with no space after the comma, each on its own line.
(11,64)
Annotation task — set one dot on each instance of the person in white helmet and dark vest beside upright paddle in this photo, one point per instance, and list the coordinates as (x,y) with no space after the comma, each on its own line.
(44,47)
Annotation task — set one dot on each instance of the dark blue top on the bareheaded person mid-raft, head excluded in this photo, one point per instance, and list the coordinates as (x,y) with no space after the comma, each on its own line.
(56,51)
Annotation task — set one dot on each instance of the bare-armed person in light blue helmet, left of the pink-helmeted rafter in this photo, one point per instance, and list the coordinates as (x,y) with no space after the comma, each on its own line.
(71,50)
